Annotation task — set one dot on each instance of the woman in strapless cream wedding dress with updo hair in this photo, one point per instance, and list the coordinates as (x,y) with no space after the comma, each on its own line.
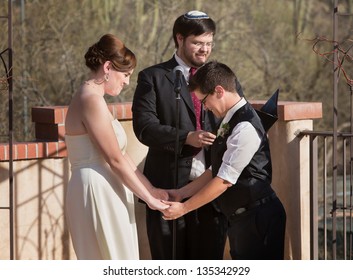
(99,198)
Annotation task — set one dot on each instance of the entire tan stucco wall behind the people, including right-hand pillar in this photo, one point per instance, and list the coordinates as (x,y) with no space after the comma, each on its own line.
(40,230)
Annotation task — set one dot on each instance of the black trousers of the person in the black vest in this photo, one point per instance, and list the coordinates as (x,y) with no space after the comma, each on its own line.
(258,234)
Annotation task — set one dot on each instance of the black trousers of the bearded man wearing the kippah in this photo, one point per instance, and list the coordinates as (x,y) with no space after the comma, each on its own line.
(200,235)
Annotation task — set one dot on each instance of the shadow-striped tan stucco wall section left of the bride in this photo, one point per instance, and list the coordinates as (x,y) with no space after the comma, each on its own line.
(40,230)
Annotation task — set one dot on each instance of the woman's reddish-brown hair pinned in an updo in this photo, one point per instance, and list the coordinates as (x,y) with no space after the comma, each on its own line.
(110,48)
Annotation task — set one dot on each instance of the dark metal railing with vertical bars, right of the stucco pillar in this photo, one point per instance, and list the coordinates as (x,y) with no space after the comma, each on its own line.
(331,200)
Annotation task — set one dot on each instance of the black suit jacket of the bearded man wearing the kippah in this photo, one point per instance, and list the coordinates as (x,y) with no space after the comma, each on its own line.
(154,124)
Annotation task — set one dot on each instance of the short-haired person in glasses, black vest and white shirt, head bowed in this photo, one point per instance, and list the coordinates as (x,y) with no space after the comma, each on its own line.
(239,178)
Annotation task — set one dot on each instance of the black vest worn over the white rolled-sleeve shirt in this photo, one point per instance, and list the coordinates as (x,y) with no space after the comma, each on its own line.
(255,180)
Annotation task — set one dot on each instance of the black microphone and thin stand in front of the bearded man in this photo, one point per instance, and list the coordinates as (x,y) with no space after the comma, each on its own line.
(177,90)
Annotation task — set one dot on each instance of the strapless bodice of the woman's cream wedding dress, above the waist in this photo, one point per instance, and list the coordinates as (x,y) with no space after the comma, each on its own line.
(83,152)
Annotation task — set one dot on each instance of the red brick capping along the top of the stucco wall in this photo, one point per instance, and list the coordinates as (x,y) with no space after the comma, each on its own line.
(50,126)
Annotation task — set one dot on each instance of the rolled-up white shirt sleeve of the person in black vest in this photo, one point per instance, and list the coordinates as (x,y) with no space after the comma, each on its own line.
(242,145)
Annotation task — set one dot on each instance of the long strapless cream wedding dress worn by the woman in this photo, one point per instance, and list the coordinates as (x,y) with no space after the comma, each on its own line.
(99,208)
